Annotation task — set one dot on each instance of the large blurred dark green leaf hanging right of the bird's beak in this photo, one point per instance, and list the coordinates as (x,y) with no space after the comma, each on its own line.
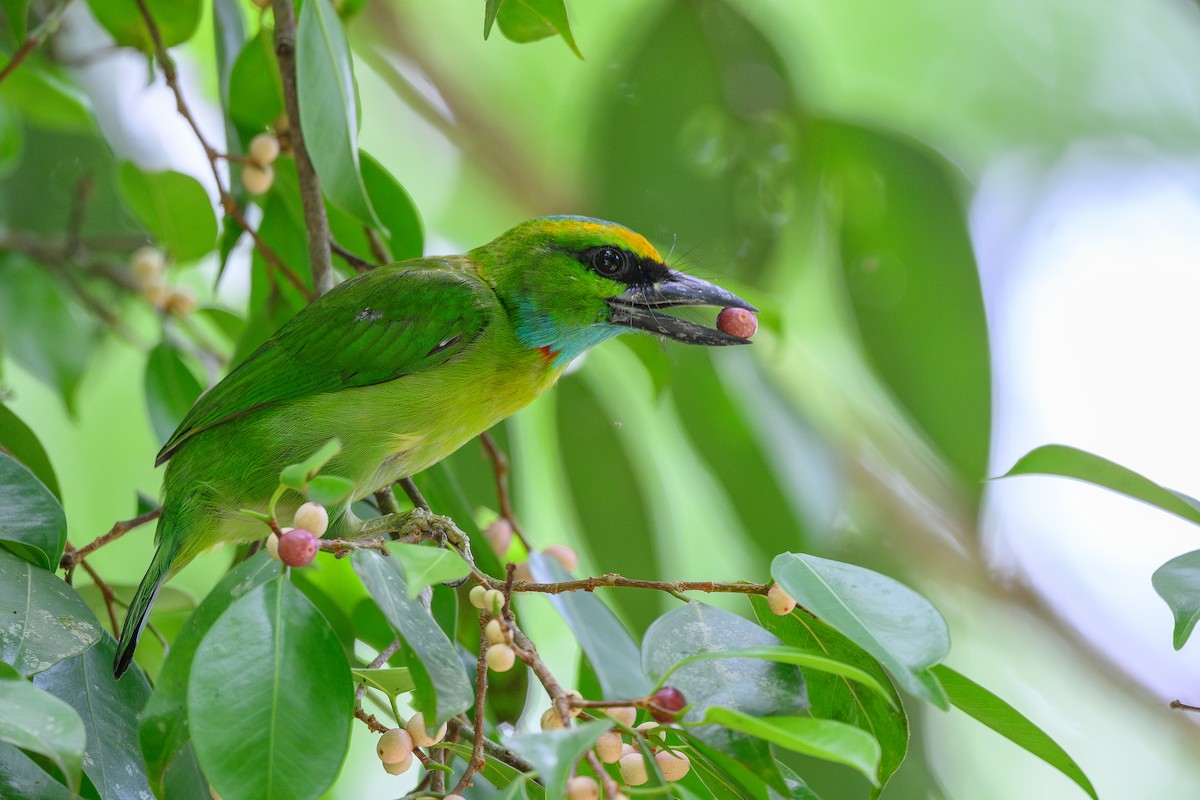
(913,282)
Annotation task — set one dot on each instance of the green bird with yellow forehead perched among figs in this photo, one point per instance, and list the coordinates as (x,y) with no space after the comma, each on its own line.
(405,365)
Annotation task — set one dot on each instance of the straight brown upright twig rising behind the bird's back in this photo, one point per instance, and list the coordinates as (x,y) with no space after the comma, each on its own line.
(316,221)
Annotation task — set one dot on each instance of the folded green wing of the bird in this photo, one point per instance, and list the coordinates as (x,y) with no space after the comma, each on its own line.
(369,330)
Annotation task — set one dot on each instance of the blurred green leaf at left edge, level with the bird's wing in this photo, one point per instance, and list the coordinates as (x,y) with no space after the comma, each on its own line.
(33,303)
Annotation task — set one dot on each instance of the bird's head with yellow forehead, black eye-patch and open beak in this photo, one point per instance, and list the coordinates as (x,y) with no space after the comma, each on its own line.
(574,282)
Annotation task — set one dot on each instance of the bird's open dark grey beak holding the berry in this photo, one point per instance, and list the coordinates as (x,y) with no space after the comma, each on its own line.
(638,309)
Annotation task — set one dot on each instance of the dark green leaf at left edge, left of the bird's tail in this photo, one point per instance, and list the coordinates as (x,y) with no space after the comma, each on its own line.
(31,516)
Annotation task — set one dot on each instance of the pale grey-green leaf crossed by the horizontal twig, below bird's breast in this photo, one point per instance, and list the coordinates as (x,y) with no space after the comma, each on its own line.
(608,645)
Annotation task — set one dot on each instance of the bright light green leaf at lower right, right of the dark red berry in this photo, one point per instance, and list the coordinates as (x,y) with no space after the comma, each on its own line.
(827,739)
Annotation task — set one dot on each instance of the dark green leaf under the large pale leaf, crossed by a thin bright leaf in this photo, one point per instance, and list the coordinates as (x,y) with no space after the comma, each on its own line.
(835,697)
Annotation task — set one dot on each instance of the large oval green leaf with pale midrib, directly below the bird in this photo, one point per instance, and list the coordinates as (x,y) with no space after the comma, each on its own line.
(274,659)
